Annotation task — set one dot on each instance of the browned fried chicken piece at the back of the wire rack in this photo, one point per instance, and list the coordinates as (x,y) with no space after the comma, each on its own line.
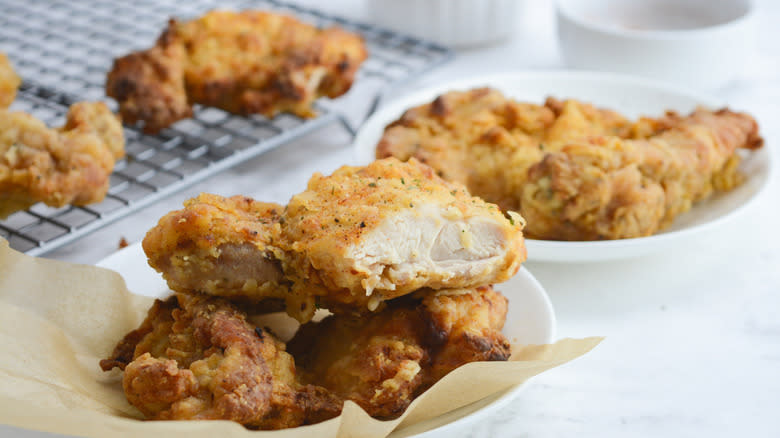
(248,62)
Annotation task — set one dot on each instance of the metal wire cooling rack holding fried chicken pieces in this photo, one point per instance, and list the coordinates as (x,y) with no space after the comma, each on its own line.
(63,49)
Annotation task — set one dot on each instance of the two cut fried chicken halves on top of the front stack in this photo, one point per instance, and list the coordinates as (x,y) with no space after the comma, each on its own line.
(347,243)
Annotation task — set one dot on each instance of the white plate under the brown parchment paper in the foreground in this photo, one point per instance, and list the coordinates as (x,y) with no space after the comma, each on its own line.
(530,320)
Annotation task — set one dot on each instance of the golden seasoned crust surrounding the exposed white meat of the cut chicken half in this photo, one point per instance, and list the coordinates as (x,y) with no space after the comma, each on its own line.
(324,223)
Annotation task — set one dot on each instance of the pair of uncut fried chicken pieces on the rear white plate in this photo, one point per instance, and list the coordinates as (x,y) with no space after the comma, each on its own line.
(575,172)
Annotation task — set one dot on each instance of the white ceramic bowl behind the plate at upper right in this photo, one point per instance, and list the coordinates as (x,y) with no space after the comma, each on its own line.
(697,43)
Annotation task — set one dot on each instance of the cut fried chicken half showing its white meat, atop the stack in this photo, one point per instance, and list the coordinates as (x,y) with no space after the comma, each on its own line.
(368,234)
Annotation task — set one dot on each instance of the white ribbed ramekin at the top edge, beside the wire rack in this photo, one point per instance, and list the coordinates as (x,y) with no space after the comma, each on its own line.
(457,23)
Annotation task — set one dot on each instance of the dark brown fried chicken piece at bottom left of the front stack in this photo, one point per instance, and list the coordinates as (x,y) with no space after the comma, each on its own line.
(197,357)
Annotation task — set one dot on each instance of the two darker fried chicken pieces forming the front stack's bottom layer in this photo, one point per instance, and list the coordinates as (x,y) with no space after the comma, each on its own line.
(198,357)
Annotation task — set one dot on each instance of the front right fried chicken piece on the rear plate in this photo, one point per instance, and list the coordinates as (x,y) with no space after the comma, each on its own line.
(613,188)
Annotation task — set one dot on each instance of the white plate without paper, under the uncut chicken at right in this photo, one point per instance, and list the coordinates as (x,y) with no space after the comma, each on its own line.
(630,96)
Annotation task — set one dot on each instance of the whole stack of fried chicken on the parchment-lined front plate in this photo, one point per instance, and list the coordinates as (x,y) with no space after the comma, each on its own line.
(402,260)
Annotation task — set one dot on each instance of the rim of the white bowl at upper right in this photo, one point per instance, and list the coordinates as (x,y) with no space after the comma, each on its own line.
(566,12)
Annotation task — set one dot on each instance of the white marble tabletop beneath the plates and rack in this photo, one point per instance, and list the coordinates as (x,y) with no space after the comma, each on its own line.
(692,342)
